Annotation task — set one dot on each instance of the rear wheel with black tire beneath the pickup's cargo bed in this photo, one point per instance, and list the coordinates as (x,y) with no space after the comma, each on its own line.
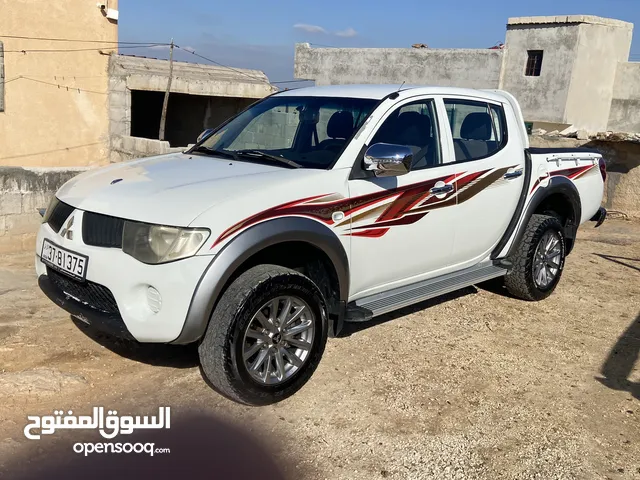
(521,281)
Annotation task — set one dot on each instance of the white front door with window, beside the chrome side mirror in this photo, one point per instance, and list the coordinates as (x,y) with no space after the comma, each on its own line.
(401,227)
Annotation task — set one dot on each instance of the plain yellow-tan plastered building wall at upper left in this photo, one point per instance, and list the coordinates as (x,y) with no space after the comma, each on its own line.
(46,125)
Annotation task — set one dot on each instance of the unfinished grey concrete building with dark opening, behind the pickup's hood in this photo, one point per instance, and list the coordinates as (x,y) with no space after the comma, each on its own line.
(202,96)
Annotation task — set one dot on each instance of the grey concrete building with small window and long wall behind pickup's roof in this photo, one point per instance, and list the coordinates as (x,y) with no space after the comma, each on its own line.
(568,70)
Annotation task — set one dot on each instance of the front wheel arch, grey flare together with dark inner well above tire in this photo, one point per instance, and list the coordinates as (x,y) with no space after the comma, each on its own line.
(280,241)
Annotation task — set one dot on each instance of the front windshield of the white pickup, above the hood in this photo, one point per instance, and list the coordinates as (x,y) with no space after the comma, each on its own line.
(309,132)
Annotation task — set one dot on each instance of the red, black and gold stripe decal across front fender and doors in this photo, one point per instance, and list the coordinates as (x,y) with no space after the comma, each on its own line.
(373,215)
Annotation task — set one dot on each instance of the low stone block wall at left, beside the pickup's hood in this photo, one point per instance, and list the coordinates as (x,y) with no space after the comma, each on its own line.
(22,192)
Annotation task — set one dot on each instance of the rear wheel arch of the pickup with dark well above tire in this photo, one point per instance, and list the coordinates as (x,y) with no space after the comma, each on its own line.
(559,196)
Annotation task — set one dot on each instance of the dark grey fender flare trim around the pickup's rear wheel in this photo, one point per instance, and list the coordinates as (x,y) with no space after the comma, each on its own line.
(563,186)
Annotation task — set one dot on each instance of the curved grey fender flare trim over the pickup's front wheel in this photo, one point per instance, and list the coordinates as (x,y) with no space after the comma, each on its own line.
(242,247)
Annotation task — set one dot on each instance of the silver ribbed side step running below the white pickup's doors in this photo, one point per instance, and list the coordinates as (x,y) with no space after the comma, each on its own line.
(381,303)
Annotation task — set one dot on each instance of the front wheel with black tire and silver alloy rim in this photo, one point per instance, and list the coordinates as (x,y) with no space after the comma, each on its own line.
(236,320)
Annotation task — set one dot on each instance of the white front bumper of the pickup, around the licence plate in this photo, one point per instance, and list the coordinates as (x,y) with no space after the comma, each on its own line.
(127,281)
